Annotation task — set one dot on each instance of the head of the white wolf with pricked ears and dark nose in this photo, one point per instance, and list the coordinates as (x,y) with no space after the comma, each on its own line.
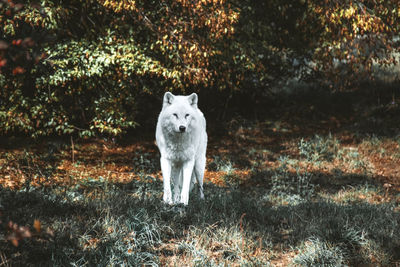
(180,111)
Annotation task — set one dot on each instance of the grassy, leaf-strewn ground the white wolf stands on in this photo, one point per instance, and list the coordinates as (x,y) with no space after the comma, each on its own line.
(317,189)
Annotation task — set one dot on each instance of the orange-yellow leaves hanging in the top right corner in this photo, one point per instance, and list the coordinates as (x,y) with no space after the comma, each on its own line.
(352,36)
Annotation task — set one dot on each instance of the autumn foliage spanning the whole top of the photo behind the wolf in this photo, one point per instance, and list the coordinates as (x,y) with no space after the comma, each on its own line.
(88,67)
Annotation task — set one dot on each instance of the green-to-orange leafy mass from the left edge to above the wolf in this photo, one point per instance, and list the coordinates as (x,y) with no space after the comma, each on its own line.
(99,59)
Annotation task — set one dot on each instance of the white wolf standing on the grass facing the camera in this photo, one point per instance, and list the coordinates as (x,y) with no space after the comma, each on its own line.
(182,140)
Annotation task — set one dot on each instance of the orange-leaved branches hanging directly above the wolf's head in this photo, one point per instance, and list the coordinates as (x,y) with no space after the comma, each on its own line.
(184,33)
